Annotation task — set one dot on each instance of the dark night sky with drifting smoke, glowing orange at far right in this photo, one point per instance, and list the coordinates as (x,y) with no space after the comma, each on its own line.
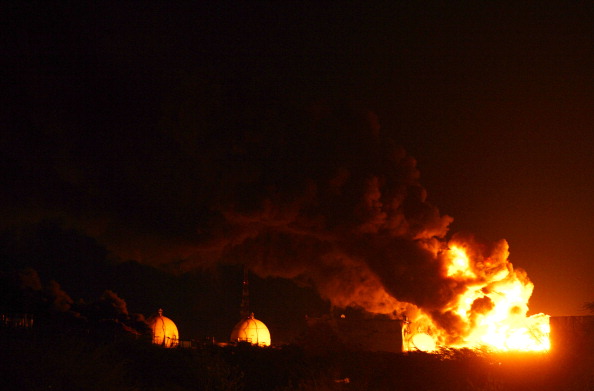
(299,139)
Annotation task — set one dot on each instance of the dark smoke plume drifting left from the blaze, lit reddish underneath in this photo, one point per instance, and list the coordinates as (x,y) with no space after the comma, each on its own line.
(321,197)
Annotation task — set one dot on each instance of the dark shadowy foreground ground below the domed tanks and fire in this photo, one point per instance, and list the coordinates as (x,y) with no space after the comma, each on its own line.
(57,361)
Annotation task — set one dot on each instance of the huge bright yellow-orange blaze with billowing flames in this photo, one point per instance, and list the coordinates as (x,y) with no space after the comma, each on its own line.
(489,312)
